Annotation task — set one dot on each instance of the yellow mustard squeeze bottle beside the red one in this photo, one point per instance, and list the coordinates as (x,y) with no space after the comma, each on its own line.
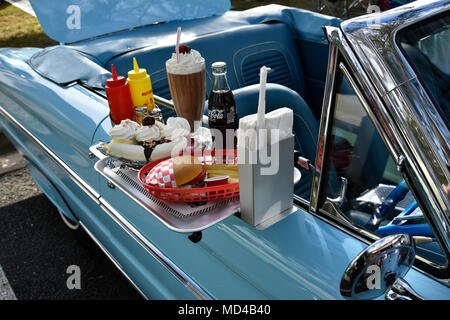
(140,87)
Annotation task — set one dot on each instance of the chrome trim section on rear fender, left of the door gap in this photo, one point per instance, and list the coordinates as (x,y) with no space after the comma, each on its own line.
(75,178)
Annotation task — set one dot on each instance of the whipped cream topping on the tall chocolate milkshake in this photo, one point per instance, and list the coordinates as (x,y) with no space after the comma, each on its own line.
(191,62)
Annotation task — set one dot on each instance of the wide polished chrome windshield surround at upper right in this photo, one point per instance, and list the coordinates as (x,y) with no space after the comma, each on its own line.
(413,112)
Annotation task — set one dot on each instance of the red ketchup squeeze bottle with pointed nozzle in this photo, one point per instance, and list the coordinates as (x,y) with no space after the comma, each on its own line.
(119,98)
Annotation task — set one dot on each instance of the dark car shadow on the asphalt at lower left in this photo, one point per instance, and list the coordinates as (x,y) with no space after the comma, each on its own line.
(36,249)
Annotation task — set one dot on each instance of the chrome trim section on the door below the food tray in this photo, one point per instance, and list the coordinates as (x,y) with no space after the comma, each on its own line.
(154,251)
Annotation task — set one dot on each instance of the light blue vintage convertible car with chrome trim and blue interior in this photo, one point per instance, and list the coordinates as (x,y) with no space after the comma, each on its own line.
(371,106)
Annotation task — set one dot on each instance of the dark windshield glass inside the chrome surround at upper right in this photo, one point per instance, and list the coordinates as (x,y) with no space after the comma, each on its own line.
(427,46)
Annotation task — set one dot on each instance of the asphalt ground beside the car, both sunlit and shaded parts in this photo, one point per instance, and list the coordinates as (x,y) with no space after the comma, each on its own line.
(38,253)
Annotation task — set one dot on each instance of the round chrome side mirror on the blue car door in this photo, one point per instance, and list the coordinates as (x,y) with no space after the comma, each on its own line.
(379,269)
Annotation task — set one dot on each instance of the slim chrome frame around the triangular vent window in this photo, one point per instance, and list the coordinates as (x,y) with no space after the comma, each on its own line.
(388,131)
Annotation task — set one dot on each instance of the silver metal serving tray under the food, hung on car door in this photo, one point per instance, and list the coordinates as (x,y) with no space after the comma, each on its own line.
(179,217)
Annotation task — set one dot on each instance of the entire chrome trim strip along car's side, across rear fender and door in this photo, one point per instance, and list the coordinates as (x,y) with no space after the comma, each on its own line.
(135,234)
